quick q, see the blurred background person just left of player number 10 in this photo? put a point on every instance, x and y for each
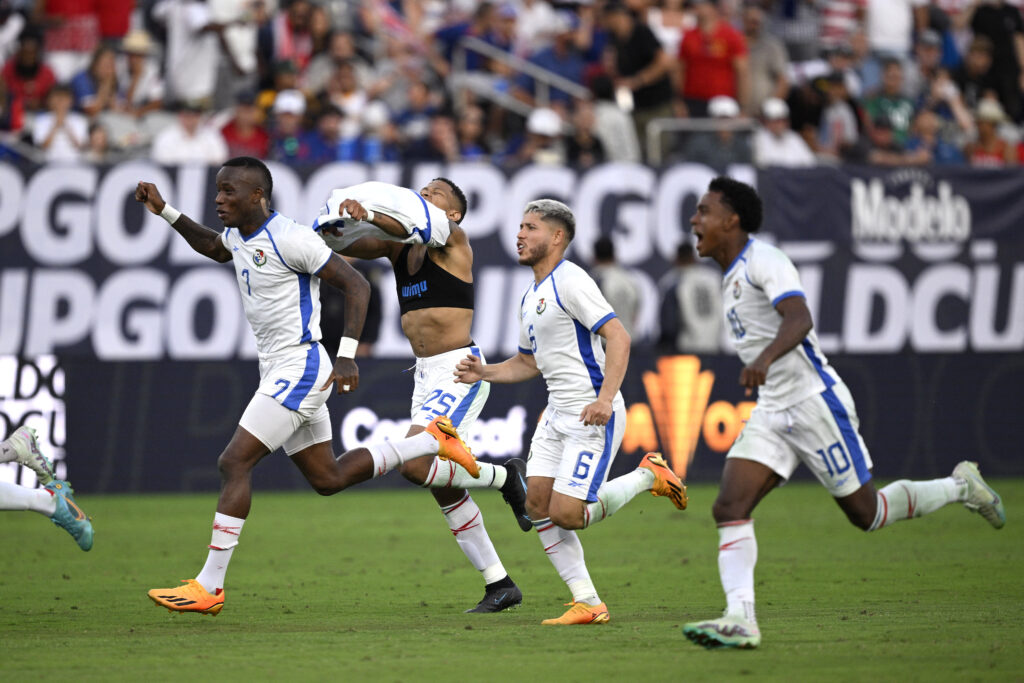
(691, 310)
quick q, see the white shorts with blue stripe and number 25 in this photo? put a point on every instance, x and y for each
(437, 393)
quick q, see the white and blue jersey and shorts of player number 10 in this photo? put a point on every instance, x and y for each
(804, 412)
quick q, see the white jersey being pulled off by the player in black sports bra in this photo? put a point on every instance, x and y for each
(424, 223)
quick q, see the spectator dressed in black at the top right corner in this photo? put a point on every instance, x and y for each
(1002, 23)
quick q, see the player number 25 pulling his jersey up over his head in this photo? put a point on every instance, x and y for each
(421, 236)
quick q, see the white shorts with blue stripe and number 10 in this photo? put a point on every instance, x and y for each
(822, 432)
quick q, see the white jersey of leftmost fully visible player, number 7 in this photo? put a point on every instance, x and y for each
(277, 269)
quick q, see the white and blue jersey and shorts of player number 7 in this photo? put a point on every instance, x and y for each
(277, 270)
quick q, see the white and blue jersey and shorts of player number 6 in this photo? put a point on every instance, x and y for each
(559, 323)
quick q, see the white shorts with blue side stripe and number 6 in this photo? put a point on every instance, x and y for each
(577, 457)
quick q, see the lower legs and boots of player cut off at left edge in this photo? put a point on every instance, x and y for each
(55, 500)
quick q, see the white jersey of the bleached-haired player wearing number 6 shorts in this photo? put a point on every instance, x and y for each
(559, 323)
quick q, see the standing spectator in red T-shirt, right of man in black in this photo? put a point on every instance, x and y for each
(713, 62)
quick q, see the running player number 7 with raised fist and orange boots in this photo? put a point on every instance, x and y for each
(279, 266)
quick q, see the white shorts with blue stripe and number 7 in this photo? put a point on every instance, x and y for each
(289, 410)
